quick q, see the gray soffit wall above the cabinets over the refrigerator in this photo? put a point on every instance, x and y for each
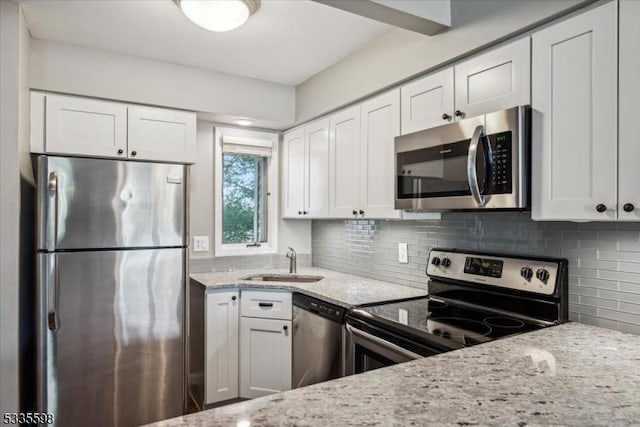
(71, 69)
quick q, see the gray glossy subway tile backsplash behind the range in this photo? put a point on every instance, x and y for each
(604, 258)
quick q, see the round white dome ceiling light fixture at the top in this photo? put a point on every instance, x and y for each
(218, 15)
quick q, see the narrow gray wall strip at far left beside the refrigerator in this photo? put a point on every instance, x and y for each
(15, 172)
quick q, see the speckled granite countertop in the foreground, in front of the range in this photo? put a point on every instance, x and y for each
(572, 374)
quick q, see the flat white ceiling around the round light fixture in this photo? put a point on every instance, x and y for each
(286, 41)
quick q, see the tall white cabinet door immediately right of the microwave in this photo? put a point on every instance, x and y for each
(574, 129)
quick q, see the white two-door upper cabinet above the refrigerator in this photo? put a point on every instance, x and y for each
(77, 126)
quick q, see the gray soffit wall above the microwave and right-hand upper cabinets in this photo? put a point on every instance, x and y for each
(400, 54)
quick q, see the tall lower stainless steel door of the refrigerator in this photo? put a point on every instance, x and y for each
(117, 355)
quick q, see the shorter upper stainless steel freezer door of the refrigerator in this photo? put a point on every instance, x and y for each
(96, 203)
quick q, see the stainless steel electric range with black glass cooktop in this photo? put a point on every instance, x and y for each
(473, 298)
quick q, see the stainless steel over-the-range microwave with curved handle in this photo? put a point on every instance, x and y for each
(476, 163)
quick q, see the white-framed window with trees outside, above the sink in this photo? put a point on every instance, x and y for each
(246, 192)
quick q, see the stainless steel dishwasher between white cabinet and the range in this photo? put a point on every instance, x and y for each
(318, 339)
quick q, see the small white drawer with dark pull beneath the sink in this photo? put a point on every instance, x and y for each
(266, 304)
